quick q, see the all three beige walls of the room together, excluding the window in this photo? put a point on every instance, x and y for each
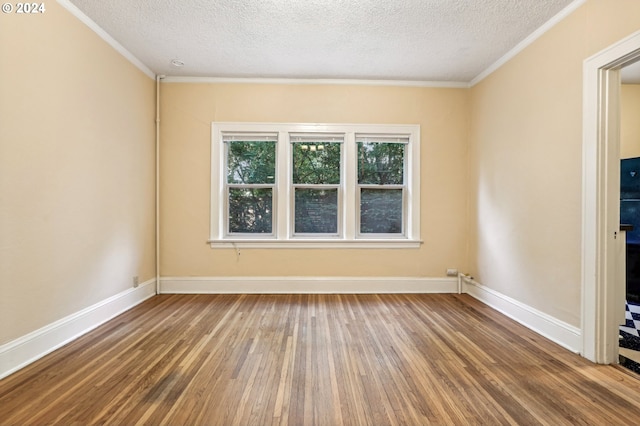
(501, 169)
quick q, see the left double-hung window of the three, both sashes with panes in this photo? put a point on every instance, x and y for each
(250, 183)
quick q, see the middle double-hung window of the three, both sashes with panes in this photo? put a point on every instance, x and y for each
(316, 182)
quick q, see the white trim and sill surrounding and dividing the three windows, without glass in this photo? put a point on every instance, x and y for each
(283, 237)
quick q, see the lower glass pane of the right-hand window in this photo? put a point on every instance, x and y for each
(380, 211)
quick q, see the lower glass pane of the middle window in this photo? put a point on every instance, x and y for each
(316, 211)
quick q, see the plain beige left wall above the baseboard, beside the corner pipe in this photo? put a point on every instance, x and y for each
(77, 170)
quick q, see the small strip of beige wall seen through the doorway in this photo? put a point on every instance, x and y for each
(630, 121)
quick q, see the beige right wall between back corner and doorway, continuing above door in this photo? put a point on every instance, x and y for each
(526, 162)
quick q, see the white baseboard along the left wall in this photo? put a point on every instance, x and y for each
(27, 349)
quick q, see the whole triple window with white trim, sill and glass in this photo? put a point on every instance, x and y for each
(304, 185)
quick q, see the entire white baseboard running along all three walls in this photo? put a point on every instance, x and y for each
(27, 349)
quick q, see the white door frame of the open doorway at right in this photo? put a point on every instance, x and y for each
(600, 197)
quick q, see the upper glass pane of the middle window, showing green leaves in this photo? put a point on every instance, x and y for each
(316, 163)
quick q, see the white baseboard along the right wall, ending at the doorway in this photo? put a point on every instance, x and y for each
(564, 334)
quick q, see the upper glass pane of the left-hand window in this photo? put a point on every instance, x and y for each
(251, 162)
